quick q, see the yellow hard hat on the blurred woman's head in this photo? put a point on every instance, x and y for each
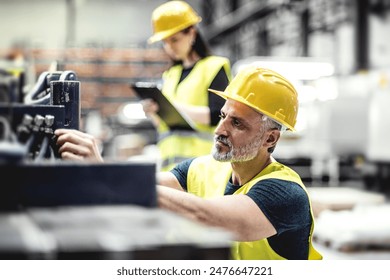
(170, 18)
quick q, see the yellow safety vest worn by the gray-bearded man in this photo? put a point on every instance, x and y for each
(212, 183)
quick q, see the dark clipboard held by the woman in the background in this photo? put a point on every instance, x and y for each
(175, 119)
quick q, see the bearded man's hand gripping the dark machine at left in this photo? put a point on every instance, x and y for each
(77, 145)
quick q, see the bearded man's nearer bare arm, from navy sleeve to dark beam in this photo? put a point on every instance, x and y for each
(238, 214)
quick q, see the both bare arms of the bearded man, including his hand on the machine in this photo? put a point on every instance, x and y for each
(236, 213)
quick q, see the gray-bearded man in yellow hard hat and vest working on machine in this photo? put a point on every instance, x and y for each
(240, 186)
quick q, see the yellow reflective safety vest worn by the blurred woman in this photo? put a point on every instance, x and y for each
(176, 146)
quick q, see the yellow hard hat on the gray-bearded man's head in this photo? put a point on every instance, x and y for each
(265, 91)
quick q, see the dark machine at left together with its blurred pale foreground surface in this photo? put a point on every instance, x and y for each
(56, 209)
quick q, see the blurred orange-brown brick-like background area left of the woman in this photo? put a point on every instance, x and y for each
(104, 73)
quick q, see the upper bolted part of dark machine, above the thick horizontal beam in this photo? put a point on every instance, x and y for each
(27, 127)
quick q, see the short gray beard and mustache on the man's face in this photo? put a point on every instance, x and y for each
(239, 154)
